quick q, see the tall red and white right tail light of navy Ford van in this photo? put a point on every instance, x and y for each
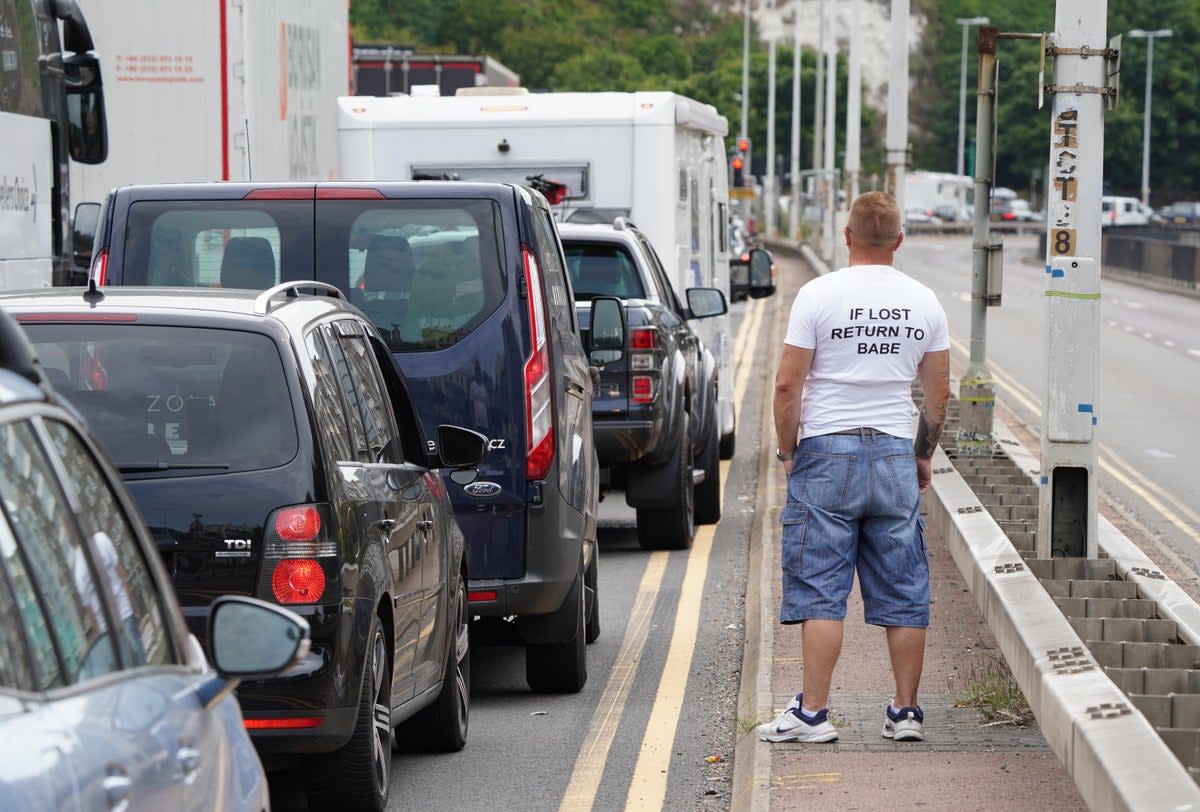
(539, 399)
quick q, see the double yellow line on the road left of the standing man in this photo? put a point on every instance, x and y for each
(647, 790)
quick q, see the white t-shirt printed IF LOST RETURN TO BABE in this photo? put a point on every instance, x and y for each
(869, 326)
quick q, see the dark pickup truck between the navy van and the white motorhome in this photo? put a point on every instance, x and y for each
(655, 416)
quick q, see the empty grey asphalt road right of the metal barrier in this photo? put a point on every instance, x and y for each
(1150, 359)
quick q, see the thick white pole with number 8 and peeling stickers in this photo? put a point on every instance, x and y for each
(1067, 504)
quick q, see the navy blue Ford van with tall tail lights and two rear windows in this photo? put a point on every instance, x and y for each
(467, 285)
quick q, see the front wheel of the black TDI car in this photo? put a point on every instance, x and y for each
(442, 726)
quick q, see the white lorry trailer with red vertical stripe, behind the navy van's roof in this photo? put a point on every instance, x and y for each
(226, 91)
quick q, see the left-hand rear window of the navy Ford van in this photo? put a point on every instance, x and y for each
(213, 244)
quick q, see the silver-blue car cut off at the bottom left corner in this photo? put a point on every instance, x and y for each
(107, 701)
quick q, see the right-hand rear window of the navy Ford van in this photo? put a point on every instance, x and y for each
(425, 272)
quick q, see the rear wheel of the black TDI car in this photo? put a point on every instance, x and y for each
(356, 778)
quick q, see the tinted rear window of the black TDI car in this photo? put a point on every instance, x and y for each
(172, 399)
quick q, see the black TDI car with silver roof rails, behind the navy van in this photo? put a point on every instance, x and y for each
(269, 442)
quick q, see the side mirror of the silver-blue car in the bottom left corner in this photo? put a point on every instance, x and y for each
(255, 639)
